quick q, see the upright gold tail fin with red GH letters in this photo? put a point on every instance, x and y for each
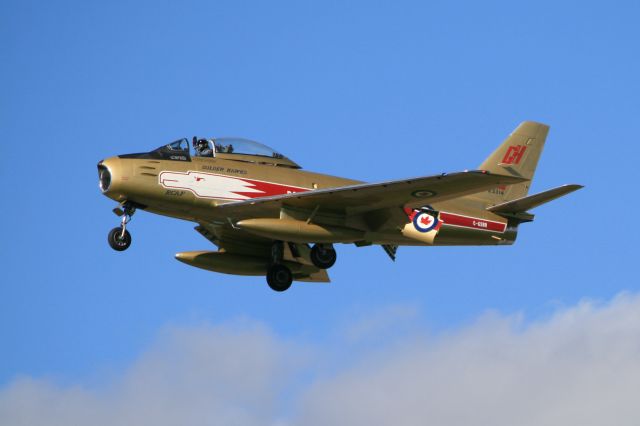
(517, 156)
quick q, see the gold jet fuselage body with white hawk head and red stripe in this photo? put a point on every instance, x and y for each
(191, 190)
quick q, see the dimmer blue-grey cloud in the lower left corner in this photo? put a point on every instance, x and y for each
(201, 375)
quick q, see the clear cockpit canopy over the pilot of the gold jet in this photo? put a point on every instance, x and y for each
(228, 148)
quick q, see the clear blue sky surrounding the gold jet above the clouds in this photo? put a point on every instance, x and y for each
(358, 89)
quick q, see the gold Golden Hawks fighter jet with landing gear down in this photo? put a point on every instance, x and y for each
(269, 217)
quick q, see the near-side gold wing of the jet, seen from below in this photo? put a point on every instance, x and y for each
(362, 198)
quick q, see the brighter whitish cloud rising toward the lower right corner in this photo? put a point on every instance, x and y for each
(582, 366)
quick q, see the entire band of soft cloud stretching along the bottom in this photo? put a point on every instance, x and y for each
(579, 366)
